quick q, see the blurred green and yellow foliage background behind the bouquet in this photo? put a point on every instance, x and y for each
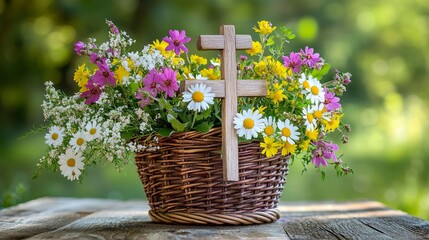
(384, 44)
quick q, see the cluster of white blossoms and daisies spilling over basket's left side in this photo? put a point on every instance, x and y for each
(79, 132)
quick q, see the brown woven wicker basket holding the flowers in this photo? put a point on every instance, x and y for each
(184, 184)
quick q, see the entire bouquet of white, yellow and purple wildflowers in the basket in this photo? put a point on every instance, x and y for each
(126, 95)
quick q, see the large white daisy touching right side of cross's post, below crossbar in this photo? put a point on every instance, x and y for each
(249, 124)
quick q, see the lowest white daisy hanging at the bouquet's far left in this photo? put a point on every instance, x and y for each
(71, 164)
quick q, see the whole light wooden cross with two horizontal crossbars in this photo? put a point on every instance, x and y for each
(229, 89)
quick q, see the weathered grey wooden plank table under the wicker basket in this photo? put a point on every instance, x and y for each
(70, 218)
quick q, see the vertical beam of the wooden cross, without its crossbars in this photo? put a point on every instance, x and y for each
(229, 108)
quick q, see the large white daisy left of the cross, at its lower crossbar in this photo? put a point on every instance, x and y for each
(199, 97)
